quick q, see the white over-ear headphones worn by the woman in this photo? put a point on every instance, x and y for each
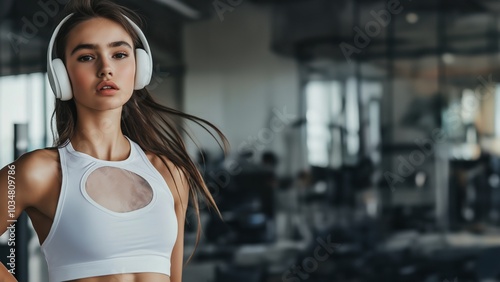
(59, 79)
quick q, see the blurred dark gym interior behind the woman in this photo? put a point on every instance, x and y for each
(365, 133)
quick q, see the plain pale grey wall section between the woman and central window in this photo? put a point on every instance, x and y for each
(235, 81)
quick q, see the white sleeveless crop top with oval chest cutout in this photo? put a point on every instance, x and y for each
(112, 217)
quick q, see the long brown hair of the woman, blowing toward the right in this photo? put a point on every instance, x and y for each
(154, 127)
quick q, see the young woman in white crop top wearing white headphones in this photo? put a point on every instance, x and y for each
(108, 201)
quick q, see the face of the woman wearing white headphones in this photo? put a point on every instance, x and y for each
(100, 61)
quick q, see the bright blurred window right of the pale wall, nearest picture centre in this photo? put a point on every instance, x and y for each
(336, 123)
